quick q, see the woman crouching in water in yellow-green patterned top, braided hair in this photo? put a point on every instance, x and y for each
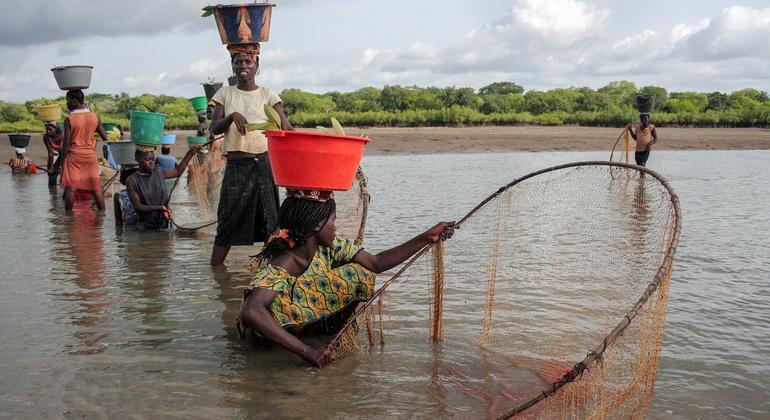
(308, 276)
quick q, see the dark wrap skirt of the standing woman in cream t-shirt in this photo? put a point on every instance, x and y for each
(248, 202)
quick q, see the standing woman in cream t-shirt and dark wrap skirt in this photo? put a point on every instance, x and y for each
(248, 204)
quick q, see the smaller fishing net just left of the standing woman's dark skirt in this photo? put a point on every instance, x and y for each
(194, 196)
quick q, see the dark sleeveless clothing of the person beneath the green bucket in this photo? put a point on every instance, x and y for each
(151, 189)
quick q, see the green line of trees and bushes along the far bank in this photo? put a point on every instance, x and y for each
(499, 103)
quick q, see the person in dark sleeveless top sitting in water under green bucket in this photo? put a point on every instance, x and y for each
(147, 189)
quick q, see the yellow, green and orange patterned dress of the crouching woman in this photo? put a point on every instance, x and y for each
(329, 284)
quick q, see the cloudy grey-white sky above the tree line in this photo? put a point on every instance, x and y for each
(150, 46)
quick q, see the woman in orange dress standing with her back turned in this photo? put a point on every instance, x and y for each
(80, 170)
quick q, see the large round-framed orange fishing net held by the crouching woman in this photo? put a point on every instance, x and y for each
(549, 301)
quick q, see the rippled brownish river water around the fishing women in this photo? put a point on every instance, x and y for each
(103, 322)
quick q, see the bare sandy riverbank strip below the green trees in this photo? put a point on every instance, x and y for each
(427, 140)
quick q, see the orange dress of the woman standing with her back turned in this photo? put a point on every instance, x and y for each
(80, 169)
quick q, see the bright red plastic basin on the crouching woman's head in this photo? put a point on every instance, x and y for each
(314, 161)
